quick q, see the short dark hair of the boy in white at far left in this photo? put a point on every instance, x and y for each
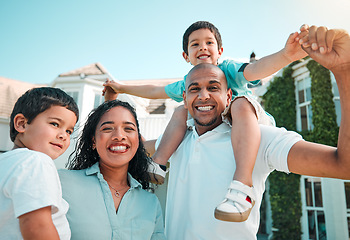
(37, 100)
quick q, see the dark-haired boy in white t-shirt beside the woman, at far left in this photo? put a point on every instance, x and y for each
(32, 206)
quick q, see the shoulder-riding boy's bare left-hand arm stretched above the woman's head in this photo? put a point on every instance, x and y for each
(145, 91)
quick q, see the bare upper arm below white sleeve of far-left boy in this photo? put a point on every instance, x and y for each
(38, 225)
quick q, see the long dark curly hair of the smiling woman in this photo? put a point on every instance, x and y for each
(85, 155)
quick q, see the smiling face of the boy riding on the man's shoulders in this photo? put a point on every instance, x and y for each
(202, 48)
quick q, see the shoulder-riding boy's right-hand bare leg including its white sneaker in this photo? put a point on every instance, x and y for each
(245, 137)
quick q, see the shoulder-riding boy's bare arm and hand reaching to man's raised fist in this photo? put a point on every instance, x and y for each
(270, 64)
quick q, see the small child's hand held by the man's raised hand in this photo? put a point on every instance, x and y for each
(292, 50)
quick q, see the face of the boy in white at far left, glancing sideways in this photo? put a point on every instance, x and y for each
(49, 132)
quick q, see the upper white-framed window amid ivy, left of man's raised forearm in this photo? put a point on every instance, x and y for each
(304, 111)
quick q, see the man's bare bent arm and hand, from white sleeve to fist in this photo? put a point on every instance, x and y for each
(330, 48)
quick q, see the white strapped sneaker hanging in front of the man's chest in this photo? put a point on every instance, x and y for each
(237, 204)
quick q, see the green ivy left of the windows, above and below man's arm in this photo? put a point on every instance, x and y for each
(284, 191)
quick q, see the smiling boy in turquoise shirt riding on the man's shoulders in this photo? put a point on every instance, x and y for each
(202, 44)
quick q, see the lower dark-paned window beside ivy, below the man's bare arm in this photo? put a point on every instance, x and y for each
(314, 208)
